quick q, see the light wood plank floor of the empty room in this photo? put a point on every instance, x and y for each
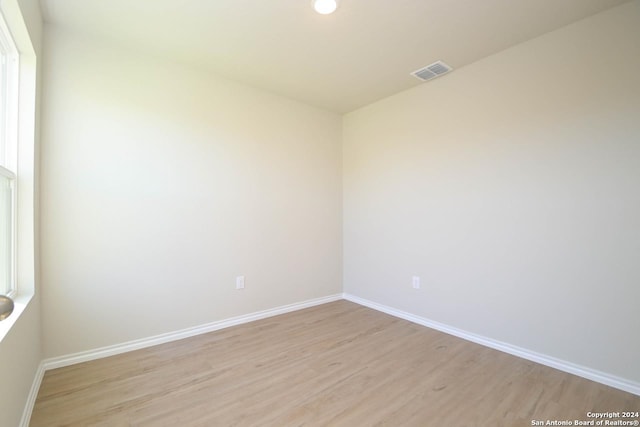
(338, 364)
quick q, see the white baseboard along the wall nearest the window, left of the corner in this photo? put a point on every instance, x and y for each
(112, 350)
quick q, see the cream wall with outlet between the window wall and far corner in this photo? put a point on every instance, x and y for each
(161, 184)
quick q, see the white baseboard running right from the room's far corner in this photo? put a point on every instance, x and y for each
(562, 365)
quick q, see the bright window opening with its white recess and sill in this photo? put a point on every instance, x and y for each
(17, 154)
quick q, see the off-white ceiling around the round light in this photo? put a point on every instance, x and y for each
(361, 53)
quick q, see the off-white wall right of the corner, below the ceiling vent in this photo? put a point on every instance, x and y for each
(510, 187)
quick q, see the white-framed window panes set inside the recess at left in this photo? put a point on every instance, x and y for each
(8, 158)
